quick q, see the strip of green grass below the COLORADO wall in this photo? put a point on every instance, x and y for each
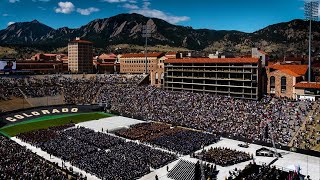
(50, 121)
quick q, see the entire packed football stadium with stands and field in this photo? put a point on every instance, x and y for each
(116, 127)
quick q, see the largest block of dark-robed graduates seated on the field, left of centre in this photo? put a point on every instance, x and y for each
(104, 155)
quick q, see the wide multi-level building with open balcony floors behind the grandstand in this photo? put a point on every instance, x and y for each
(237, 77)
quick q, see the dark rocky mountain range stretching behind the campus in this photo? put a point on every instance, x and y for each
(283, 38)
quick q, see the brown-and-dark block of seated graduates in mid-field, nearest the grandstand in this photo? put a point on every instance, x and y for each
(178, 140)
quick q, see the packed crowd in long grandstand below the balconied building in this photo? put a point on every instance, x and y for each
(219, 114)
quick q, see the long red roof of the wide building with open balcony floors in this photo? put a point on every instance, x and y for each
(215, 60)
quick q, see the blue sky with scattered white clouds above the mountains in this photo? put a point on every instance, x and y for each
(242, 15)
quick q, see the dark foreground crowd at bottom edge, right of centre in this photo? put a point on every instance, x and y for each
(255, 172)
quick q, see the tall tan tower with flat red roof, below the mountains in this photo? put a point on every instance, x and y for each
(80, 56)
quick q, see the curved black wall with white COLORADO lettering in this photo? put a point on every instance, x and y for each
(13, 117)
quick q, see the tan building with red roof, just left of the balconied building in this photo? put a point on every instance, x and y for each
(136, 64)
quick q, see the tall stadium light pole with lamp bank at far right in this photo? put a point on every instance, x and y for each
(311, 13)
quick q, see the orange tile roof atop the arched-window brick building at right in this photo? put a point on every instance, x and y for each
(294, 70)
